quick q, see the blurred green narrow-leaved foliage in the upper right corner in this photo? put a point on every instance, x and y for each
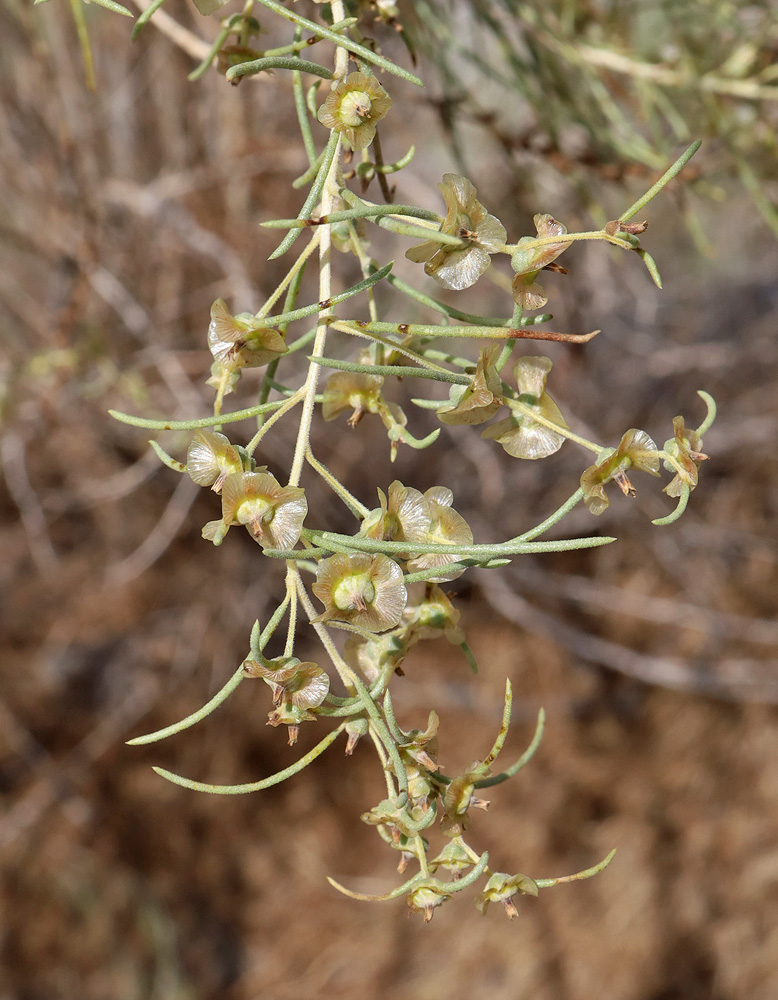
(600, 90)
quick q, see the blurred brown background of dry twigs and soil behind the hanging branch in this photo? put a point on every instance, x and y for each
(123, 214)
